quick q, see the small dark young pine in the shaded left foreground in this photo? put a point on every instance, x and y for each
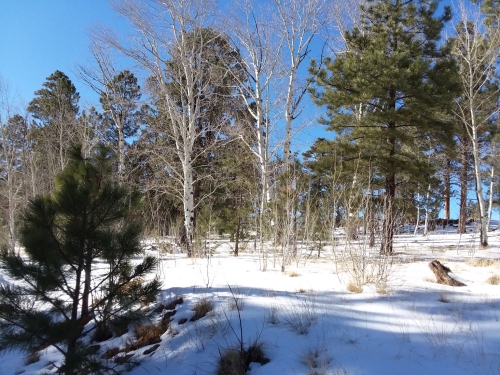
(79, 244)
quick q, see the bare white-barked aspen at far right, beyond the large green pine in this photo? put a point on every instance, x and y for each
(477, 48)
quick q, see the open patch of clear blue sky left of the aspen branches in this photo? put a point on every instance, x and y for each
(38, 37)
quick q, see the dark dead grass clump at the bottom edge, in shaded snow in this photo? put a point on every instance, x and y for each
(235, 362)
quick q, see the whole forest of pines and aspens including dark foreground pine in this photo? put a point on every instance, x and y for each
(199, 136)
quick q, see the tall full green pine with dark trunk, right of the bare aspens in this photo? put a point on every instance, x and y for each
(389, 90)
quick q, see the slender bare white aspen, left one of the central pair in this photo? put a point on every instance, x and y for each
(259, 46)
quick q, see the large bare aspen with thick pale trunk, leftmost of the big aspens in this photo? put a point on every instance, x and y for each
(170, 44)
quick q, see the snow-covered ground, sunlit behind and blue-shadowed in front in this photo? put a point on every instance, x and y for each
(309, 323)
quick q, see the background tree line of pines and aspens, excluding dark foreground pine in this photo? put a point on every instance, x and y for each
(207, 135)
